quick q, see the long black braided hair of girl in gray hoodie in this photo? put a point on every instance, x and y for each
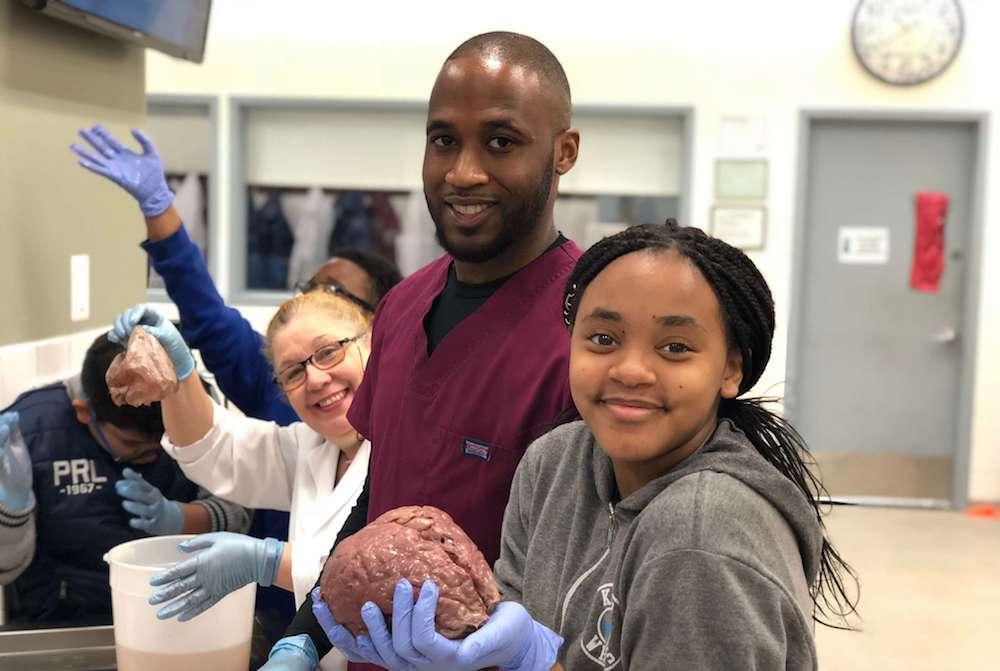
(748, 318)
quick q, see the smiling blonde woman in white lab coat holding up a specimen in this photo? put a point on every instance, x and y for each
(319, 343)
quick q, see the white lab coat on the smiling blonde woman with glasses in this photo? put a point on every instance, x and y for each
(262, 465)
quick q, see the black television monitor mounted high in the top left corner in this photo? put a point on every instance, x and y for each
(176, 27)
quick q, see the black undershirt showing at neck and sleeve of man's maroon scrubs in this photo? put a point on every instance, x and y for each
(456, 301)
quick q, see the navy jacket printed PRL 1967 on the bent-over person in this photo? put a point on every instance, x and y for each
(79, 516)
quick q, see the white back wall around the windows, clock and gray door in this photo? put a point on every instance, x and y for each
(724, 58)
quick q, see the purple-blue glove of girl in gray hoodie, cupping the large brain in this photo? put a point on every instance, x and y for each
(510, 639)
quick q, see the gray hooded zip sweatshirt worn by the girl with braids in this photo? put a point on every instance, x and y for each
(705, 567)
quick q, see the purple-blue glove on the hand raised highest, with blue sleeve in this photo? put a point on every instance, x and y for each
(139, 174)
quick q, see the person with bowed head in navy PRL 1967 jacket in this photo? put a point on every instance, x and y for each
(98, 478)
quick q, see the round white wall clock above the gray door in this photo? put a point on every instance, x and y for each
(906, 42)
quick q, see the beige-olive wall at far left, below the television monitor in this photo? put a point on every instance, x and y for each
(54, 79)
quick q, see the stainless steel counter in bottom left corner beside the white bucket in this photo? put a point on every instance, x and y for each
(72, 649)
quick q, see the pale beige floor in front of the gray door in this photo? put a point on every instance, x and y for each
(930, 591)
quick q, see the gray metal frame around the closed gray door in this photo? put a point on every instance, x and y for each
(970, 302)
